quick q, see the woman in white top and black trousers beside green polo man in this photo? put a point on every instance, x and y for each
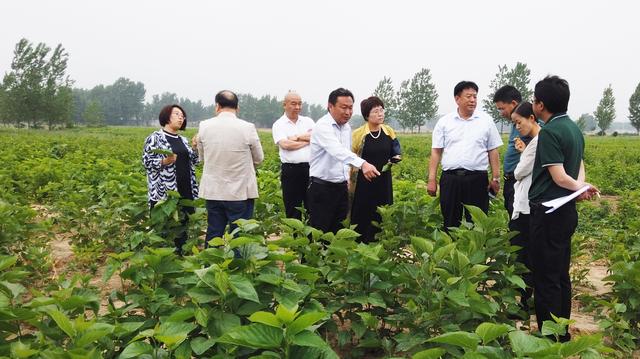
(527, 125)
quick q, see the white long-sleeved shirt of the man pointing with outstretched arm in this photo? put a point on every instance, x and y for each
(331, 151)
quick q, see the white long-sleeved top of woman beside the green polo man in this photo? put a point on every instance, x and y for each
(523, 175)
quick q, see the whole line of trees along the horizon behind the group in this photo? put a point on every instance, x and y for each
(37, 92)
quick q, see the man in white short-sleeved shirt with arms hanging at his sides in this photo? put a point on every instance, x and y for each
(466, 141)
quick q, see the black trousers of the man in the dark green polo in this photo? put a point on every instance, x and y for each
(550, 245)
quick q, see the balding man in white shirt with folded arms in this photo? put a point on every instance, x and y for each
(292, 133)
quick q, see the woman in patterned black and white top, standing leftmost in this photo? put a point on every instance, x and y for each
(170, 162)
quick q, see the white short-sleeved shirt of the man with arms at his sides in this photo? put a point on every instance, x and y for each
(465, 143)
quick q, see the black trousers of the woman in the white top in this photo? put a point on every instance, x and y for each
(522, 225)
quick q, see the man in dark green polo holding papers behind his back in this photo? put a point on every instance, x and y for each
(558, 171)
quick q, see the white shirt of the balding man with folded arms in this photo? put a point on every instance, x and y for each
(283, 128)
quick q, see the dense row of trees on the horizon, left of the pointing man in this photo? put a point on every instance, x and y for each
(37, 91)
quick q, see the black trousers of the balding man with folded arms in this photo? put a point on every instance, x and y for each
(294, 178)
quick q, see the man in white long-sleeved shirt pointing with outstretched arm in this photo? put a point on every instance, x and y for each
(331, 156)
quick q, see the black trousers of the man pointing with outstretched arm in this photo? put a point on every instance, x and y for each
(328, 204)
